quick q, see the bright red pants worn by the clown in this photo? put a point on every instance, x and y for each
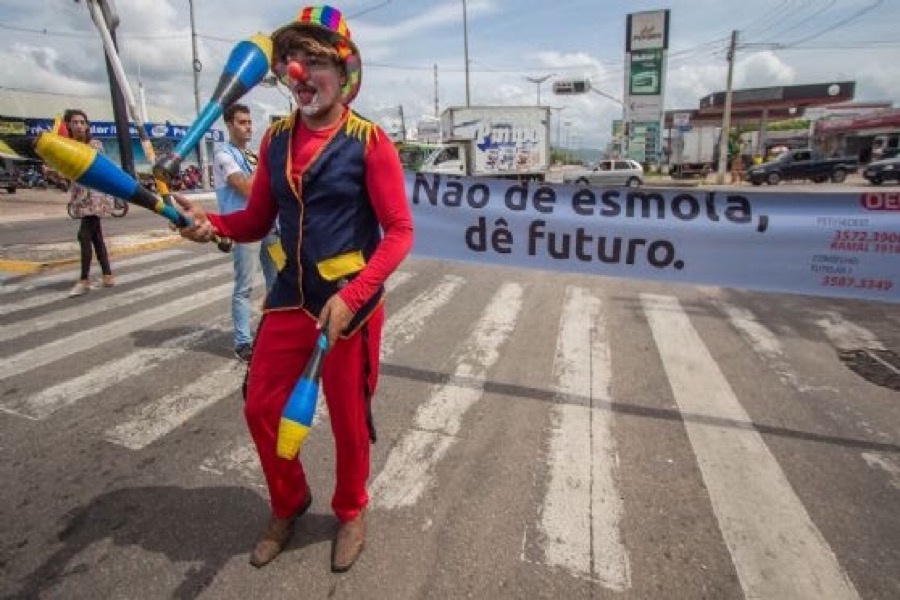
(283, 346)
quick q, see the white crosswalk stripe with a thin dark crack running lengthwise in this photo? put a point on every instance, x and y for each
(581, 513)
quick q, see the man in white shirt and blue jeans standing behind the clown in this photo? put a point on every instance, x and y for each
(233, 174)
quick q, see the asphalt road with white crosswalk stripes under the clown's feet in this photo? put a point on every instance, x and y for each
(540, 436)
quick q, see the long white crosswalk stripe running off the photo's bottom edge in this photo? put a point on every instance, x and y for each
(776, 548)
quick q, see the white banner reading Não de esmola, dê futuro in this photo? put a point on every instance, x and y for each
(825, 244)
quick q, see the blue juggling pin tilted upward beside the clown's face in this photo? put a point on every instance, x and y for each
(246, 66)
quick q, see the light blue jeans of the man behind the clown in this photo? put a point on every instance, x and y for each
(244, 258)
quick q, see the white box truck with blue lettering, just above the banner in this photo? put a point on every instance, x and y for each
(493, 141)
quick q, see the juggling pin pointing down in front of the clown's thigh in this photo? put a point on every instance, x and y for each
(296, 419)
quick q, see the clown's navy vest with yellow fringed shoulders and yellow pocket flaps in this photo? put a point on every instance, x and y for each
(328, 228)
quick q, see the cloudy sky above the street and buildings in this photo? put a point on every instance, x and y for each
(52, 46)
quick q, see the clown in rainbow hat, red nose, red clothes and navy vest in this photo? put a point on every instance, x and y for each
(335, 184)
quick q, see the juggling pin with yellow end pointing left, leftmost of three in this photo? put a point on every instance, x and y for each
(85, 165)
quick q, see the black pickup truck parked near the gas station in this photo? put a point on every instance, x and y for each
(802, 163)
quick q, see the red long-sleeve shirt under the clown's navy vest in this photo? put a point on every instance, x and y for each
(387, 193)
